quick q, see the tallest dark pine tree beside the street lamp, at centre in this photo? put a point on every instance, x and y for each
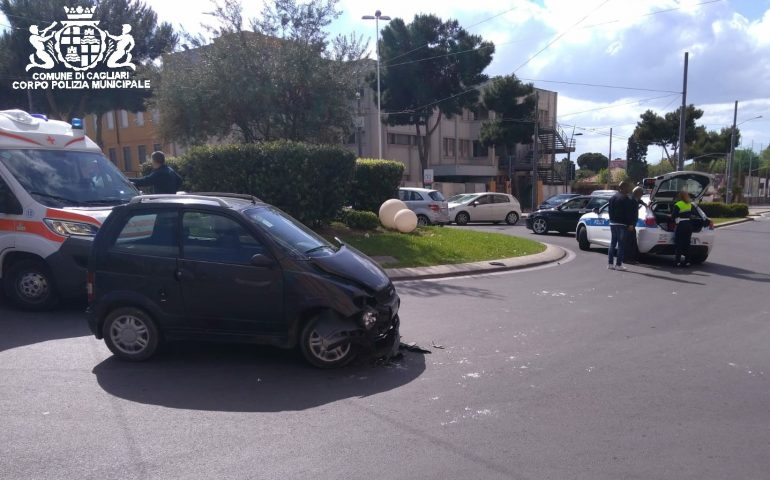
(422, 76)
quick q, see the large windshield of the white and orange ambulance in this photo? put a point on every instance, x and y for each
(58, 178)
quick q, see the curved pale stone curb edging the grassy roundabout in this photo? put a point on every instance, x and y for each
(551, 254)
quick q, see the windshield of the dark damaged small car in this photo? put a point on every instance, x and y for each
(288, 232)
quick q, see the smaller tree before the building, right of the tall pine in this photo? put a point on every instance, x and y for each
(514, 105)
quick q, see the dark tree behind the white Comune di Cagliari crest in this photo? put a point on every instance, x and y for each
(151, 40)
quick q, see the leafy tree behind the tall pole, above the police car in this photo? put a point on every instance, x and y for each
(663, 131)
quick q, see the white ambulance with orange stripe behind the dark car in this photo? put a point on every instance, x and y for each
(56, 188)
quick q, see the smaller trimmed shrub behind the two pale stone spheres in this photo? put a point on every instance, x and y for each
(375, 181)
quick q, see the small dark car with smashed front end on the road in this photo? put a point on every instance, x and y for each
(229, 268)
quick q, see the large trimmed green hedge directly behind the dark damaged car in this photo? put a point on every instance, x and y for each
(310, 182)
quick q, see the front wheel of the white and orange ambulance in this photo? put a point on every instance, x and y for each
(29, 284)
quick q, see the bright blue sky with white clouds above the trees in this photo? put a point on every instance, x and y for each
(623, 43)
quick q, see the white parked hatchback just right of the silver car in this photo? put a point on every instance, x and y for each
(485, 207)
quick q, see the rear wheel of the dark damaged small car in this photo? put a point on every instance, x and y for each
(131, 334)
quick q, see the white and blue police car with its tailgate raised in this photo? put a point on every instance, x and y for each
(654, 227)
